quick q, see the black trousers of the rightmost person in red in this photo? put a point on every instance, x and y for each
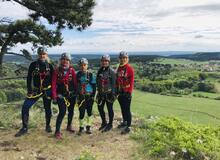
(125, 104)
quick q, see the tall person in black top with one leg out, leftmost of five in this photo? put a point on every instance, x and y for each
(38, 85)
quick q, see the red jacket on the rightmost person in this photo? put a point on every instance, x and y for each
(125, 78)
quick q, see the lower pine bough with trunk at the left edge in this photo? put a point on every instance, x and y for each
(26, 31)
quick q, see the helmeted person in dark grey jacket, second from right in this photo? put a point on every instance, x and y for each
(106, 79)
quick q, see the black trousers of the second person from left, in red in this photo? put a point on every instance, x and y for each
(62, 111)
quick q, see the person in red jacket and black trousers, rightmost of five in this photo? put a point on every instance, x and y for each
(124, 87)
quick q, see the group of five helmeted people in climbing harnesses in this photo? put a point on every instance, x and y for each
(65, 87)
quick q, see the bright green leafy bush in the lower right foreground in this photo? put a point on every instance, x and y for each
(172, 138)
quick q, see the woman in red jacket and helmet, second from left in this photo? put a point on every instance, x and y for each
(64, 90)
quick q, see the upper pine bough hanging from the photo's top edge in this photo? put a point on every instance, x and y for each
(63, 13)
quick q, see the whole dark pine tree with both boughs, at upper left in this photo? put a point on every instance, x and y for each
(62, 13)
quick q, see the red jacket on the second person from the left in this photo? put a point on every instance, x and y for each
(59, 80)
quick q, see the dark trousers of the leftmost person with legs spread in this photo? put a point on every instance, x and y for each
(28, 103)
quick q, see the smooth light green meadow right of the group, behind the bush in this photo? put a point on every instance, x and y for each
(196, 110)
